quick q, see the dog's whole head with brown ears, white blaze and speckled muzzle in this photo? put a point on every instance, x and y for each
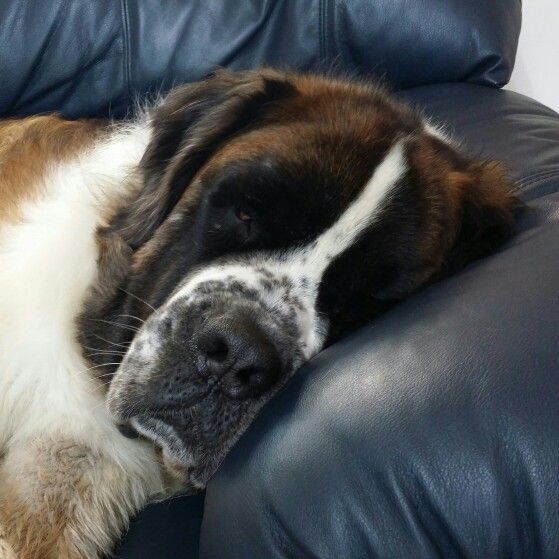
(278, 212)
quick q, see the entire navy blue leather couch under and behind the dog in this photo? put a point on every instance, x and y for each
(432, 432)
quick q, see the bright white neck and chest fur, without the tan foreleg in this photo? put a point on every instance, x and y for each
(47, 263)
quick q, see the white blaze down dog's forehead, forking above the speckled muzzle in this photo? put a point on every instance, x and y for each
(305, 266)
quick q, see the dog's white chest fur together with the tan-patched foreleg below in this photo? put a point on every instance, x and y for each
(54, 427)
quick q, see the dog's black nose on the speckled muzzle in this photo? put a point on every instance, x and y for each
(240, 355)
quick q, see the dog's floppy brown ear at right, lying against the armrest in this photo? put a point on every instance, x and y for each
(471, 205)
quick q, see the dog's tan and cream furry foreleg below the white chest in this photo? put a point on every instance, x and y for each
(62, 500)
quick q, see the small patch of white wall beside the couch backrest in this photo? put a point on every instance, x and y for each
(536, 72)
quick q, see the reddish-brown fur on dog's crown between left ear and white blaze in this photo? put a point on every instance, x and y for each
(366, 119)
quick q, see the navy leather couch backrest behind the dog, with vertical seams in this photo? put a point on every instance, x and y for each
(93, 57)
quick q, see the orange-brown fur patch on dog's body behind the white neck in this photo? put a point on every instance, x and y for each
(27, 147)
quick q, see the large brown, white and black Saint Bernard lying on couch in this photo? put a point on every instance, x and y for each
(161, 279)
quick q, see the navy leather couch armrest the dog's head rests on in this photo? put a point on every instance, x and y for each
(435, 430)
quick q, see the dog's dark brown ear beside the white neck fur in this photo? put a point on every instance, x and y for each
(188, 126)
